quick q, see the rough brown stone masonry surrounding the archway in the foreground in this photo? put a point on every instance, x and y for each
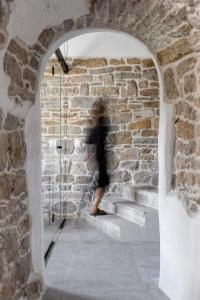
(171, 29)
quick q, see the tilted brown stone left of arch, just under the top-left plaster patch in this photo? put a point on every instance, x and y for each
(18, 50)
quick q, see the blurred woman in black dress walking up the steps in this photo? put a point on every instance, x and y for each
(97, 136)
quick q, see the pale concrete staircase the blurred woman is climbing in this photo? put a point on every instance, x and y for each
(132, 218)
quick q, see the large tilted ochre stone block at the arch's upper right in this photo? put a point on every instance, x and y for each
(174, 52)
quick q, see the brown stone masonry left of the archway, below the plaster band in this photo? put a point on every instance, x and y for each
(15, 256)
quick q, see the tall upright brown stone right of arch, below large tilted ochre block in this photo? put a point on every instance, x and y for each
(170, 85)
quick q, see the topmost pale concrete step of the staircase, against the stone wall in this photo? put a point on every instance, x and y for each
(145, 195)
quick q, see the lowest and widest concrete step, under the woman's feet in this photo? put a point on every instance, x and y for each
(119, 228)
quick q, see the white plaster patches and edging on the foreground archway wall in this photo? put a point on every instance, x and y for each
(180, 244)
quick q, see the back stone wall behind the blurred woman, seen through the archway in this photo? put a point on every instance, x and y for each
(130, 88)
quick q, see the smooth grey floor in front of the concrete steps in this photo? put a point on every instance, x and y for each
(88, 265)
